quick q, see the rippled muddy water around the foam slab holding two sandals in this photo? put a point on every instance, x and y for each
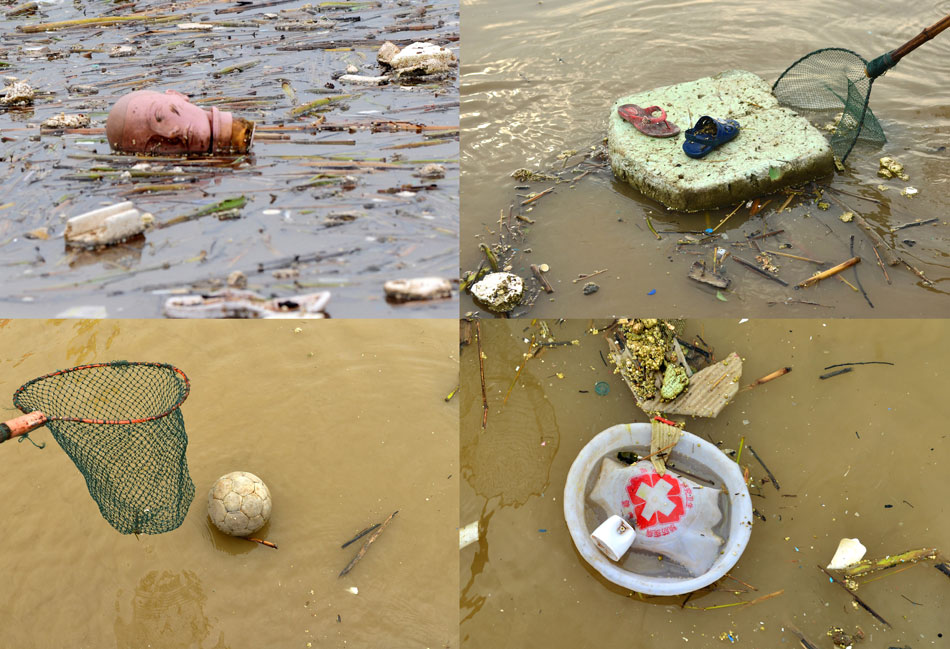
(539, 79)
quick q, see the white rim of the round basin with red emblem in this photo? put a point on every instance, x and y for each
(698, 450)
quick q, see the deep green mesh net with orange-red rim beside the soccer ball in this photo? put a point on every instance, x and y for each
(121, 424)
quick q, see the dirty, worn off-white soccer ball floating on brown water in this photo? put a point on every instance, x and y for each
(239, 503)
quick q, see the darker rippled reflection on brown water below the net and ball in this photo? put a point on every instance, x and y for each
(167, 610)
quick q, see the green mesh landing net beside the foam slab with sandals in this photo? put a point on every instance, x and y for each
(839, 80)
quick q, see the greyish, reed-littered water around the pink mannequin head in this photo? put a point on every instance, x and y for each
(353, 228)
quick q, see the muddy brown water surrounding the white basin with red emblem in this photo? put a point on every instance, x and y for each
(857, 455)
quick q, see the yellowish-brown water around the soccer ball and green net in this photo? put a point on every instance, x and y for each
(323, 416)
